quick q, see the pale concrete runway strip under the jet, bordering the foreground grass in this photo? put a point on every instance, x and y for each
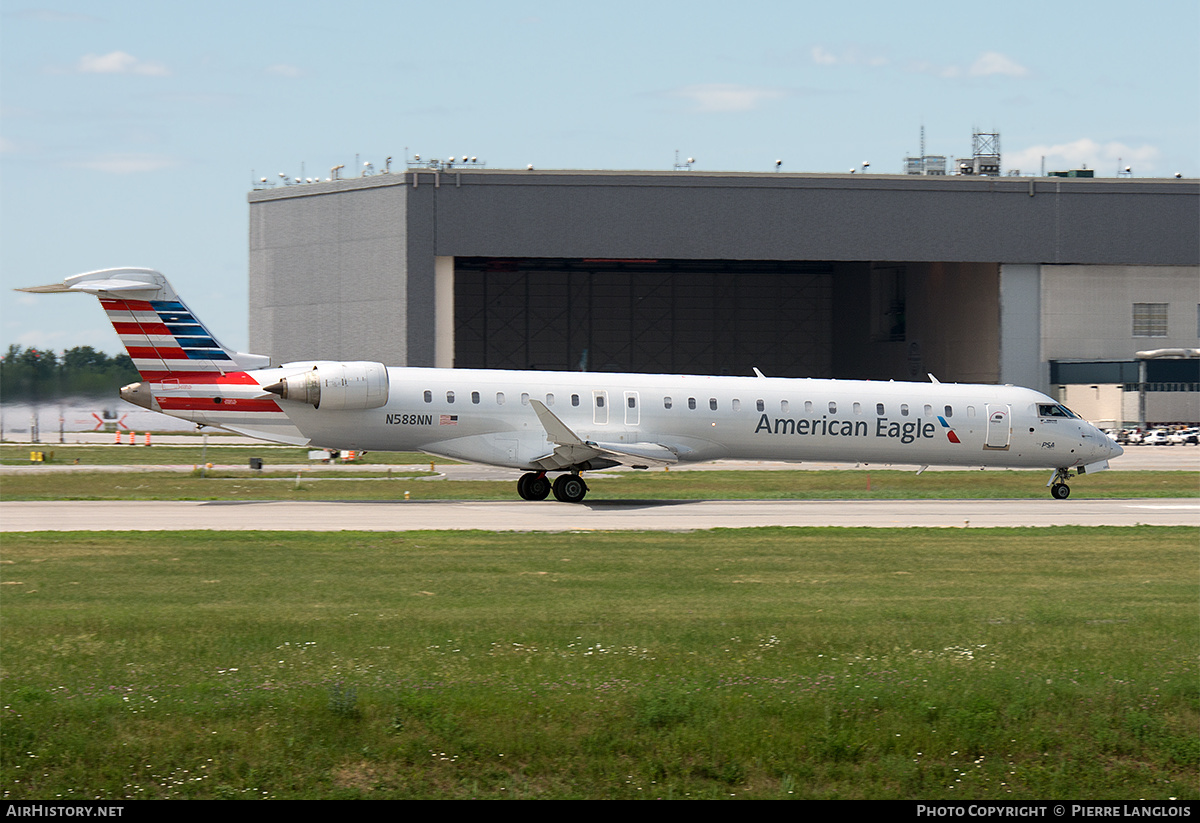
(602, 515)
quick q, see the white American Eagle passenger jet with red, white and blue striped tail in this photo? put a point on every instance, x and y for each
(569, 423)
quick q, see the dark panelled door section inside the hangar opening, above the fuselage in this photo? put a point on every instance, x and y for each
(699, 317)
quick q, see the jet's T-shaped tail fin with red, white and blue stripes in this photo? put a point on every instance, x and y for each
(161, 334)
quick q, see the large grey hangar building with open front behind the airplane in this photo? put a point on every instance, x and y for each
(1054, 284)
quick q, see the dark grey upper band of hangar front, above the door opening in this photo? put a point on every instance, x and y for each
(781, 217)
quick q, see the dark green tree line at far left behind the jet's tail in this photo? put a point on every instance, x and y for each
(43, 376)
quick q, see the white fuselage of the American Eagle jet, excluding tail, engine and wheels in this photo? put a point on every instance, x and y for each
(487, 417)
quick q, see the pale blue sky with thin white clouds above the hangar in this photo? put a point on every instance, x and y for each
(131, 133)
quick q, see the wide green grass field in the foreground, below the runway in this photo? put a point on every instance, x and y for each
(1010, 664)
